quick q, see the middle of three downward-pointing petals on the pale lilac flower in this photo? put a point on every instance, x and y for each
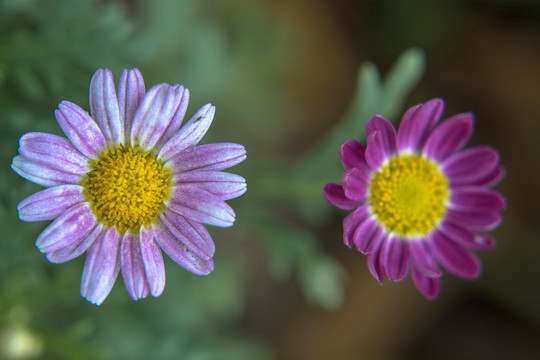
(132, 265)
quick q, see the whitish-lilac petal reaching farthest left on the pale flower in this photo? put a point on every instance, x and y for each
(41, 174)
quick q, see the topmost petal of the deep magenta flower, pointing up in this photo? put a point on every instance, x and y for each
(417, 123)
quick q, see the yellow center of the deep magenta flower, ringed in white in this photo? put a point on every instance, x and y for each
(408, 195)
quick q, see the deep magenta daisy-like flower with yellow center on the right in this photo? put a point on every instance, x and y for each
(418, 199)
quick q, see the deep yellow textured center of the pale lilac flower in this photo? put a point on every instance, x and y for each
(127, 188)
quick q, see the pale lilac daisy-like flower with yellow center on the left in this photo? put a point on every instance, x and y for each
(128, 182)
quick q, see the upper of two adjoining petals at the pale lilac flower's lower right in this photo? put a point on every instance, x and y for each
(191, 234)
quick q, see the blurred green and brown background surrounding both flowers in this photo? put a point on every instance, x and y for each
(291, 80)
